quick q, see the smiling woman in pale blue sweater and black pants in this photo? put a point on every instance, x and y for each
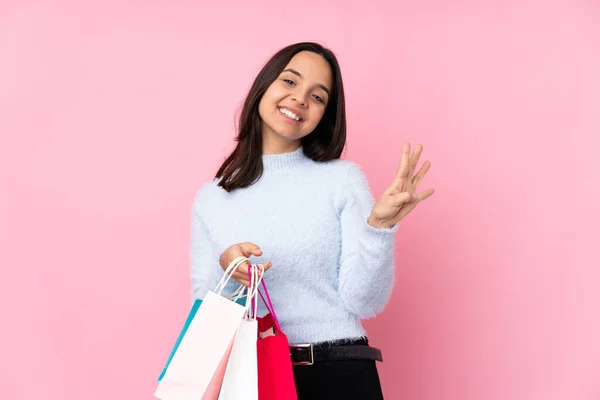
(285, 197)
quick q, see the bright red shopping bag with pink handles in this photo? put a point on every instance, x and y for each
(275, 373)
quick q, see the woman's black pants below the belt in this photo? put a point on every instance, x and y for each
(338, 379)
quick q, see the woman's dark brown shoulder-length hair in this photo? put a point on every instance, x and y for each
(244, 165)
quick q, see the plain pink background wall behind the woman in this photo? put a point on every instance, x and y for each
(113, 114)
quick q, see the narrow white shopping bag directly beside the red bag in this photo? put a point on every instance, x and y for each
(241, 377)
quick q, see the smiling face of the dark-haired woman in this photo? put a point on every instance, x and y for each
(293, 105)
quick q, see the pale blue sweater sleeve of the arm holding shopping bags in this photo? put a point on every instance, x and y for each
(203, 261)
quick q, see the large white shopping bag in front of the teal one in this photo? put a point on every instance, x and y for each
(196, 369)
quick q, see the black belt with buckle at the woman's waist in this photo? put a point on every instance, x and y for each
(308, 354)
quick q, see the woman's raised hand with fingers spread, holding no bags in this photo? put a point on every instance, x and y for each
(401, 197)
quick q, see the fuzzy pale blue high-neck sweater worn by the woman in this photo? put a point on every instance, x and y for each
(330, 267)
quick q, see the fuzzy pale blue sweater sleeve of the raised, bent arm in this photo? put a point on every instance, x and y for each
(366, 272)
